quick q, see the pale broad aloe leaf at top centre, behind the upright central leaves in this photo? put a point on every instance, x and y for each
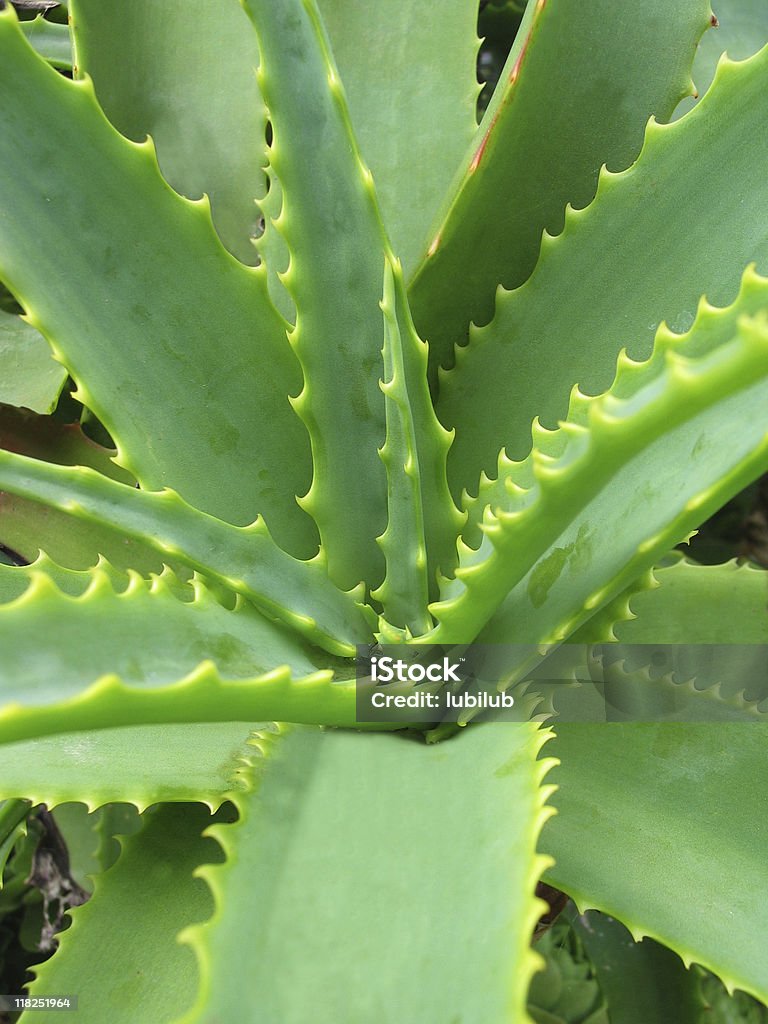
(413, 127)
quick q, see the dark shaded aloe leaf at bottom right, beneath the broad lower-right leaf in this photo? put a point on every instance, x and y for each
(642, 980)
